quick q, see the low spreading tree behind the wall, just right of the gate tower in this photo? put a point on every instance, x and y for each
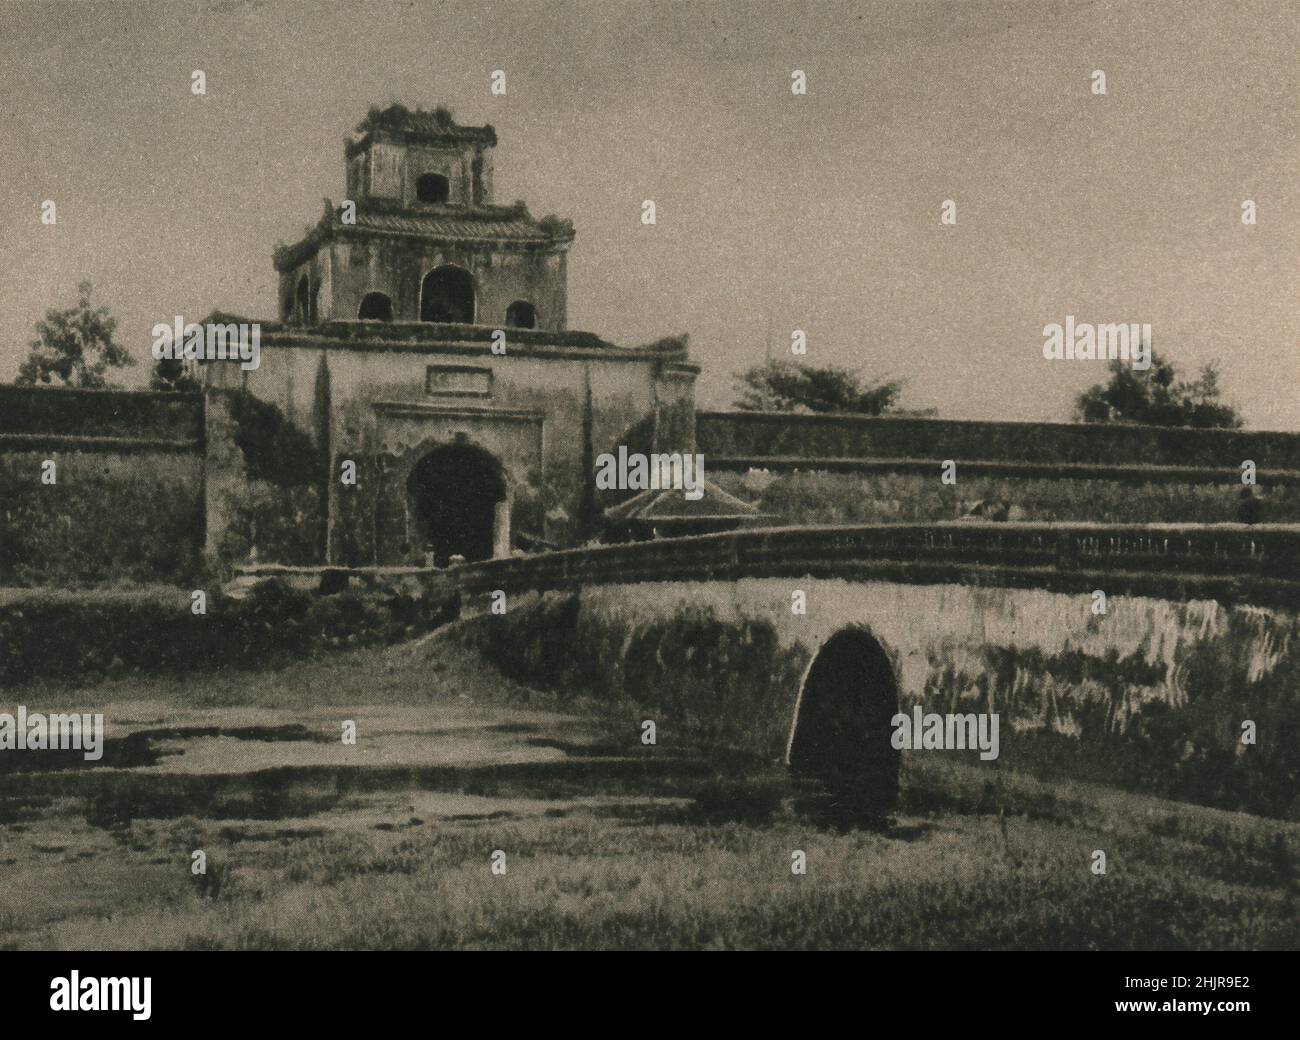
(787, 387)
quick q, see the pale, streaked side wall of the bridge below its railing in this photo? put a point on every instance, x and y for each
(1151, 696)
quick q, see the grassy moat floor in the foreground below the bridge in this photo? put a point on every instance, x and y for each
(612, 859)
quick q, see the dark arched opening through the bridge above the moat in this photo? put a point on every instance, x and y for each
(842, 736)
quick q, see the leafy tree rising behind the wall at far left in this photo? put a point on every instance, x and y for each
(75, 346)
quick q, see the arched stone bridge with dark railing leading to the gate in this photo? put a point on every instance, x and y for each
(1134, 655)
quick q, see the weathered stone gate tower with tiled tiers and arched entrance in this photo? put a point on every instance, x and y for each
(423, 337)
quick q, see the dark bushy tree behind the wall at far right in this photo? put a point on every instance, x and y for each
(1158, 397)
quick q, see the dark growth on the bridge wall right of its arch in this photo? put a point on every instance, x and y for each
(1191, 752)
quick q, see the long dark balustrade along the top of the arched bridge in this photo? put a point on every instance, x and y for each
(1211, 556)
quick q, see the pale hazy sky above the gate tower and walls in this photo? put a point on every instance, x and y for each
(775, 213)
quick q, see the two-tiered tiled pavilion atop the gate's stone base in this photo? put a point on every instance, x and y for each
(419, 237)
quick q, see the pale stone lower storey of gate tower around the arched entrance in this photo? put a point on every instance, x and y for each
(371, 402)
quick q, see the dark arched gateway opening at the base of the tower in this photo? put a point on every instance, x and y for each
(454, 502)
